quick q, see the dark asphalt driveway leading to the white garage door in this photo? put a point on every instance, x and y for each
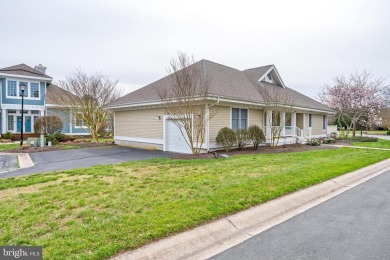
(86, 157)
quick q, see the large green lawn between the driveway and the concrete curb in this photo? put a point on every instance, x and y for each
(97, 212)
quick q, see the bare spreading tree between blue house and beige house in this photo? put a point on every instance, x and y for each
(84, 96)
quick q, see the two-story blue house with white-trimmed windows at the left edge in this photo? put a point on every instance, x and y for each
(38, 100)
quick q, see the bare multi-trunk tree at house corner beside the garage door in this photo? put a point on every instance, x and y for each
(186, 100)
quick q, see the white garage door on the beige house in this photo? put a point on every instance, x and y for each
(174, 140)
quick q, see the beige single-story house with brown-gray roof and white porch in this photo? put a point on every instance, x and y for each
(140, 119)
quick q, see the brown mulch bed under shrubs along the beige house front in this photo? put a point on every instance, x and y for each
(262, 149)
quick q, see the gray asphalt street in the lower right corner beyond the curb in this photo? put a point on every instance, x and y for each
(353, 225)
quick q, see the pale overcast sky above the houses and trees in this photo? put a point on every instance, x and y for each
(132, 41)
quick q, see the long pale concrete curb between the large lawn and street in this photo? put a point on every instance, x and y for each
(213, 238)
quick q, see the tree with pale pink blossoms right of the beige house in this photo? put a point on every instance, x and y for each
(356, 99)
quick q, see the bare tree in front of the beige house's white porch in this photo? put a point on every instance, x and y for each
(278, 101)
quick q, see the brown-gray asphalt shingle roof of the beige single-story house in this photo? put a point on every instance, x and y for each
(225, 82)
